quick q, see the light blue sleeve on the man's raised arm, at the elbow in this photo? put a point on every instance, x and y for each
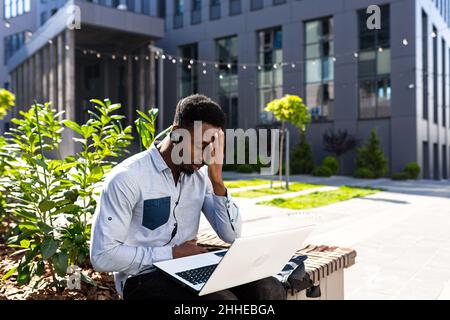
(223, 215)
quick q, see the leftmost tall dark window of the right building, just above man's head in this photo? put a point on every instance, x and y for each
(188, 74)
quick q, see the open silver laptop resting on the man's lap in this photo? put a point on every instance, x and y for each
(247, 260)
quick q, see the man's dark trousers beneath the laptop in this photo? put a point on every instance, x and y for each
(158, 286)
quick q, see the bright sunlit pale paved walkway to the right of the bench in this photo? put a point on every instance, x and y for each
(402, 235)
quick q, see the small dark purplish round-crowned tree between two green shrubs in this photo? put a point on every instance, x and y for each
(339, 142)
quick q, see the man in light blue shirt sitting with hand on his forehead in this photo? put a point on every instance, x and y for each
(149, 211)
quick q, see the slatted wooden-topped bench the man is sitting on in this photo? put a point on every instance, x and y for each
(324, 268)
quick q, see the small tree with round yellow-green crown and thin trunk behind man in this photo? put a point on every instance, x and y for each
(290, 109)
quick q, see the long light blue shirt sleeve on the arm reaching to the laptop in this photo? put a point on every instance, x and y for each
(111, 224)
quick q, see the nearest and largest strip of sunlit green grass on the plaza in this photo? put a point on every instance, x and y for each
(320, 199)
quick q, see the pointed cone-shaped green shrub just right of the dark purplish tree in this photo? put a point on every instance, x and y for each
(371, 156)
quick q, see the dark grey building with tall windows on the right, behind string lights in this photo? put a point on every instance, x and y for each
(352, 78)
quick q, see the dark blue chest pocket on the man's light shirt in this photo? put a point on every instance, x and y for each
(156, 213)
